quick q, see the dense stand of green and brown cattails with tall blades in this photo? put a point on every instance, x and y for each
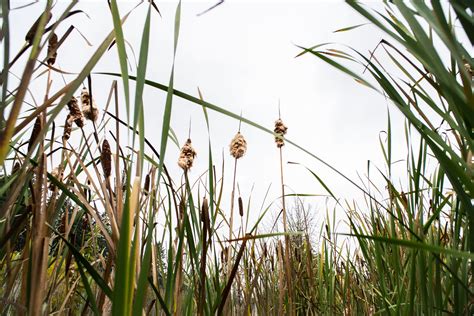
(76, 237)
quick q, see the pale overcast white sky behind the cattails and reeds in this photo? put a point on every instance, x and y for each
(241, 55)
